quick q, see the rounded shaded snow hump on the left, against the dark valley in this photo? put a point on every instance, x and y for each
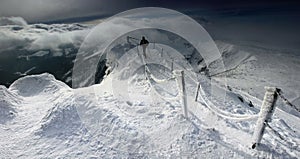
(43, 84)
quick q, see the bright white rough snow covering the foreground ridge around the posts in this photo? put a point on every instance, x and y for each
(138, 119)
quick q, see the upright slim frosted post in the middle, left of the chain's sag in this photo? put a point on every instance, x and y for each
(179, 74)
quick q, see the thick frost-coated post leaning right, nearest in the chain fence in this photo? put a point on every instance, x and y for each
(265, 114)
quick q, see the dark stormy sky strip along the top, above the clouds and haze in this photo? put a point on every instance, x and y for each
(54, 10)
